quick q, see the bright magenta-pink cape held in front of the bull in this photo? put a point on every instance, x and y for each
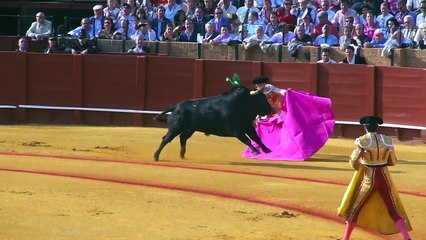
(302, 128)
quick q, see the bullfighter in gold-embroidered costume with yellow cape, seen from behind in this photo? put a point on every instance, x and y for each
(372, 200)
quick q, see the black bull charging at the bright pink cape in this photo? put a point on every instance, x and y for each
(229, 115)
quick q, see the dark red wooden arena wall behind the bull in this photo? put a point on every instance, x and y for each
(122, 81)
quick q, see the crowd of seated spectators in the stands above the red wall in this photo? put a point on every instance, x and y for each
(383, 24)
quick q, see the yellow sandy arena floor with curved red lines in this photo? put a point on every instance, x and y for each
(60, 182)
